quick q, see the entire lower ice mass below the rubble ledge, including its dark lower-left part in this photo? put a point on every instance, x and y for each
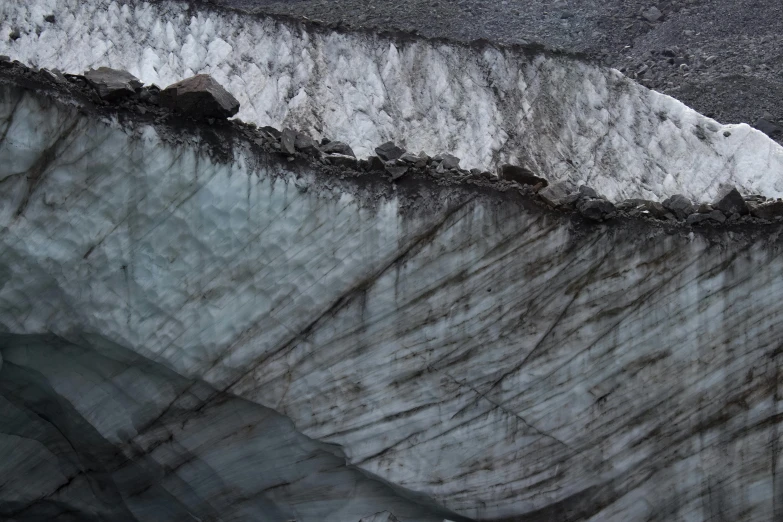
(231, 335)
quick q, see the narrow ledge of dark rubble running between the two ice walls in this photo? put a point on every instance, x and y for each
(395, 168)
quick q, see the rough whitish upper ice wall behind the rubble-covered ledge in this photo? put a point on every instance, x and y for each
(562, 117)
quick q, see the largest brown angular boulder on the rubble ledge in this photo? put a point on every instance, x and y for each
(200, 96)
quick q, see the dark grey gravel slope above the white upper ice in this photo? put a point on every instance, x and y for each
(722, 57)
